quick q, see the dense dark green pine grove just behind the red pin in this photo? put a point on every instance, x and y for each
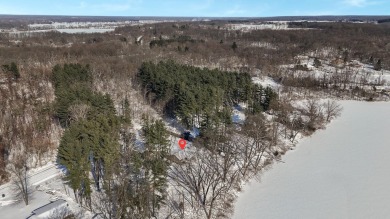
(202, 97)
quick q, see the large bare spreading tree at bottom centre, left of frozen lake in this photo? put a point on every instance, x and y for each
(201, 181)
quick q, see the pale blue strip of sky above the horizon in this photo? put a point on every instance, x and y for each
(196, 8)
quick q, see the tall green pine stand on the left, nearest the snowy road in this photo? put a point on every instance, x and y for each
(91, 141)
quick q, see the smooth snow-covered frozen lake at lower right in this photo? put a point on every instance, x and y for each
(340, 172)
